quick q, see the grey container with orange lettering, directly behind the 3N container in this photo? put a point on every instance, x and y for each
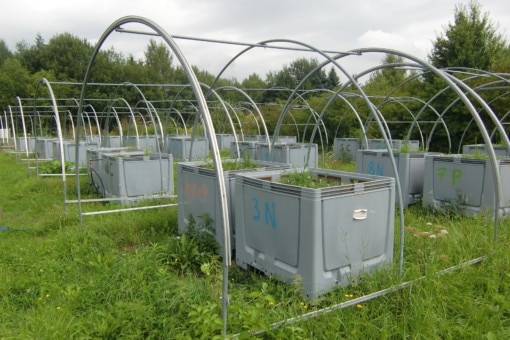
(197, 192)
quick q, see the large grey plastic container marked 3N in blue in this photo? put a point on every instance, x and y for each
(326, 236)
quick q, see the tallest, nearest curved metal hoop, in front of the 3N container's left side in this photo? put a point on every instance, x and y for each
(209, 129)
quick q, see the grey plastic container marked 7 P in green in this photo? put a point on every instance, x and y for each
(465, 183)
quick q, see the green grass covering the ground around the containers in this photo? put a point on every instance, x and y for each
(132, 276)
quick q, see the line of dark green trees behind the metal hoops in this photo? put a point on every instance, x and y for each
(470, 42)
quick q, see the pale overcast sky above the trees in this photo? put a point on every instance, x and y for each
(405, 25)
